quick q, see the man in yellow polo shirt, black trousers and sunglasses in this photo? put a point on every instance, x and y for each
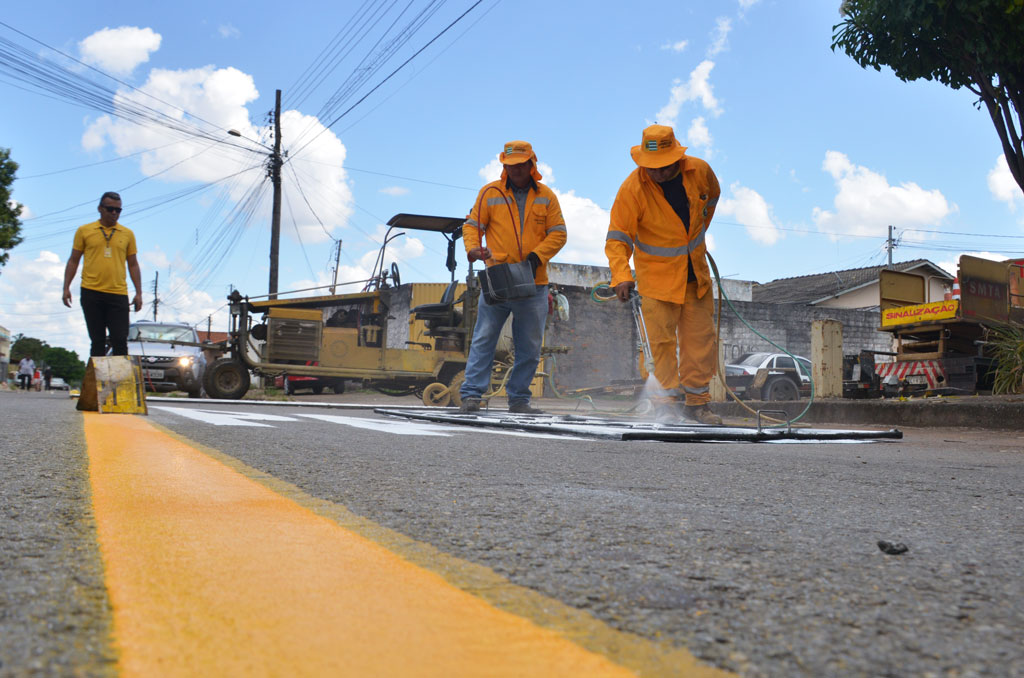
(108, 247)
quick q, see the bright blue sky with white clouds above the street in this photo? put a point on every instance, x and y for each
(817, 156)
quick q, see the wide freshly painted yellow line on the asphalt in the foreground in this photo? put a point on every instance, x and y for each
(212, 572)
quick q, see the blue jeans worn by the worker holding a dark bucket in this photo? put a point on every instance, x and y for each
(529, 316)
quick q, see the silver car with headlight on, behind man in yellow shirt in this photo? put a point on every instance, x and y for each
(170, 356)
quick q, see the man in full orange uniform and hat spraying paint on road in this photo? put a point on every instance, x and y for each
(660, 219)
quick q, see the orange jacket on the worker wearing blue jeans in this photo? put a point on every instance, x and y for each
(496, 215)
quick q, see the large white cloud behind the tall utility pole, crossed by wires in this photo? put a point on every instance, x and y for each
(221, 96)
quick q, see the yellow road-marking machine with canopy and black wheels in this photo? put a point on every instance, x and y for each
(348, 335)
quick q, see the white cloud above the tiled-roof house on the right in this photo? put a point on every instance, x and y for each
(866, 204)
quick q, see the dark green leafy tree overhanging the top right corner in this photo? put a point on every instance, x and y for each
(977, 45)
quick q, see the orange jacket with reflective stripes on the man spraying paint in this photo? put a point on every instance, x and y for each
(645, 227)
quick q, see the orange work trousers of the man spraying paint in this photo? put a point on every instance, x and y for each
(682, 340)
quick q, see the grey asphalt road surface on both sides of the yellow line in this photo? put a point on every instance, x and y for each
(761, 560)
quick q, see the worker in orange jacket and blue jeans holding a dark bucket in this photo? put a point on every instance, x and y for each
(515, 220)
